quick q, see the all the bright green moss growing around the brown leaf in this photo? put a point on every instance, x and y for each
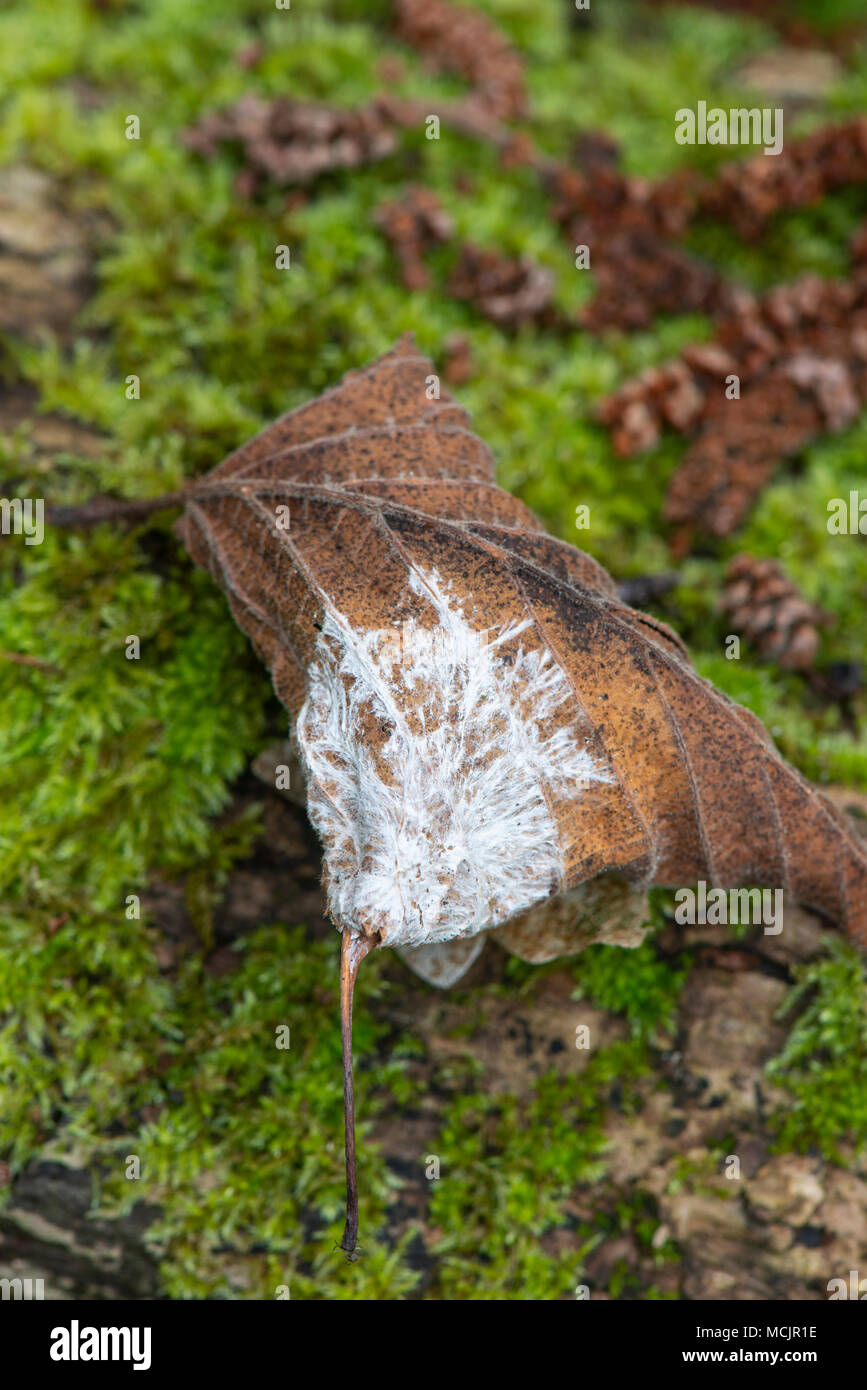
(127, 765)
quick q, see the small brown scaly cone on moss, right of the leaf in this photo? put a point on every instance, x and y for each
(772, 614)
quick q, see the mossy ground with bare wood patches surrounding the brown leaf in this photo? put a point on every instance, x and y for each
(160, 903)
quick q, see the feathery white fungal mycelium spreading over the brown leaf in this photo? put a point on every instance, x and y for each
(427, 753)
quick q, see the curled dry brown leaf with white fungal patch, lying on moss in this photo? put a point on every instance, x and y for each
(484, 725)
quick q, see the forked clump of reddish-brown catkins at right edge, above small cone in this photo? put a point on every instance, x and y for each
(801, 357)
